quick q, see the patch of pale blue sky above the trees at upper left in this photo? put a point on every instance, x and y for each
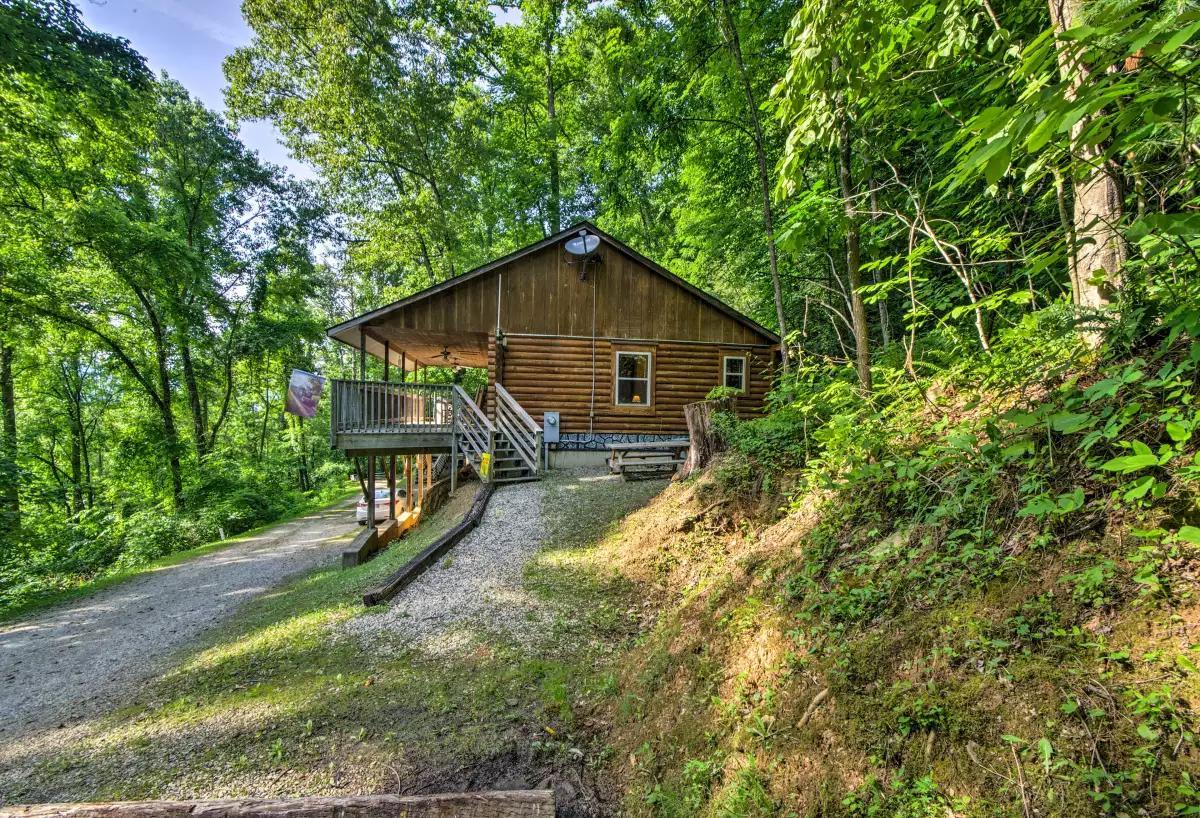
(189, 40)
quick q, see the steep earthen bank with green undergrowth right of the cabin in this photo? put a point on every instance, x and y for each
(968, 602)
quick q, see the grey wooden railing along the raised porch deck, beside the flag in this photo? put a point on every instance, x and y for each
(379, 406)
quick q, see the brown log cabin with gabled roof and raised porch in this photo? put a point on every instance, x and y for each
(586, 344)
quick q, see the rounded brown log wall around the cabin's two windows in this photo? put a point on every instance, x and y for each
(549, 375)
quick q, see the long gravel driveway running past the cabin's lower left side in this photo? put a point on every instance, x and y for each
(69, 663)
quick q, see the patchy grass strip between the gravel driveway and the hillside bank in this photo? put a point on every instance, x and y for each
(283, 701)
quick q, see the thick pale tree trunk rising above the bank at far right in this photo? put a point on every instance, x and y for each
(1097, 250)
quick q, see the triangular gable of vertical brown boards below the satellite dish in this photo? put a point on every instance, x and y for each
(543, 294)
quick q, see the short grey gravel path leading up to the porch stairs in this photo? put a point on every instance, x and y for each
(479, 585)
